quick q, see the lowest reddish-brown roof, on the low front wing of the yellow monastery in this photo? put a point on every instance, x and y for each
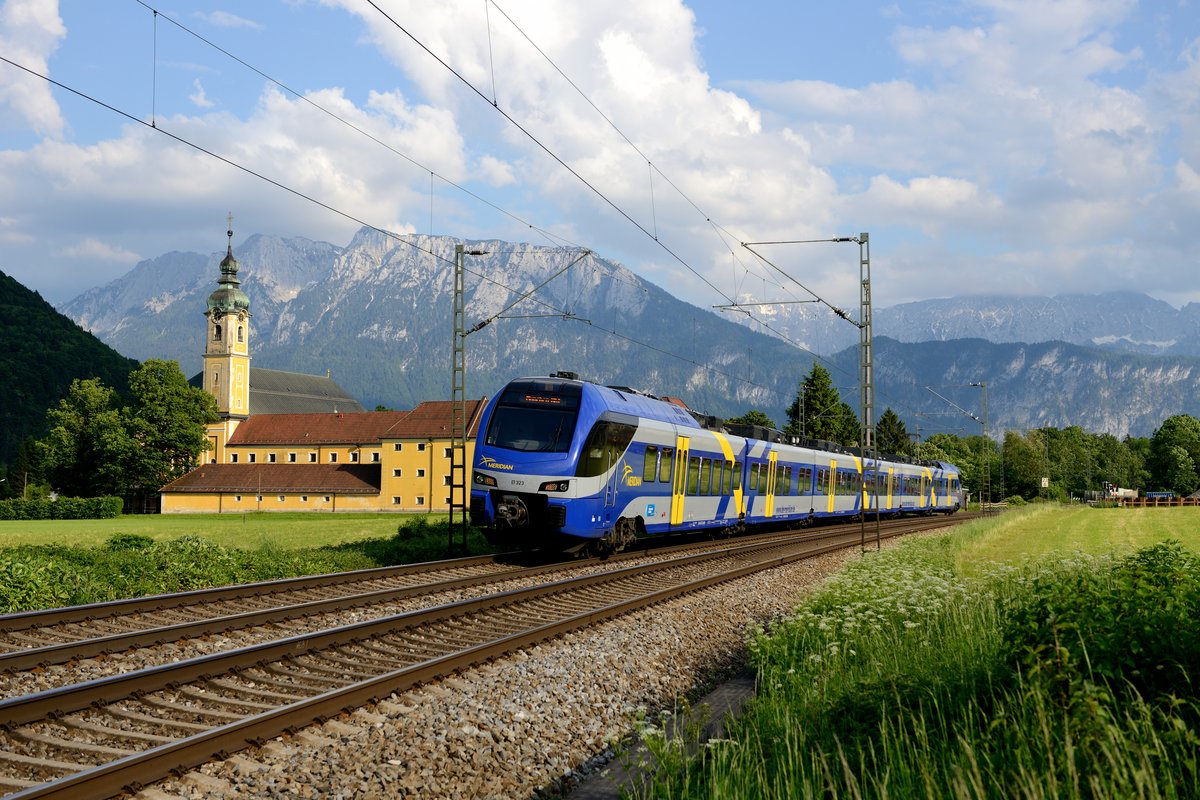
(273, 479)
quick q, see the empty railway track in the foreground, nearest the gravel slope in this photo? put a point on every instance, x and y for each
(101, 737)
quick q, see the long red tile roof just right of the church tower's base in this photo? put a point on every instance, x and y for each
(367, 428)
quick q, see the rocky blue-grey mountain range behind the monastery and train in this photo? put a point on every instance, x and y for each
(377, 315)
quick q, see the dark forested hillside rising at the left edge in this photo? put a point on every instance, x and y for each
(41, 353)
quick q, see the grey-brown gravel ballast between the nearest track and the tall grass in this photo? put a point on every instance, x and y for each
(532, 725)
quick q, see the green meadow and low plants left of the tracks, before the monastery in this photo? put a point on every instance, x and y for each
(63, 563)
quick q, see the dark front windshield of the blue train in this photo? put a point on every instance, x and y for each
(535, 419)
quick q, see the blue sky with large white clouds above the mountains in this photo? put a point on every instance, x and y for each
(989, 148)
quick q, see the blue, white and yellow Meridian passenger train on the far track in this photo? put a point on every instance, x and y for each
(568, 465)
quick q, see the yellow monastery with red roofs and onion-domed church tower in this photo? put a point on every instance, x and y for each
(289, 442)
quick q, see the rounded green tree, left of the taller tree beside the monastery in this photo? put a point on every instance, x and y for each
(88, 444)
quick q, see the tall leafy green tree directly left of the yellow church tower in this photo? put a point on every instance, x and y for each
(166, 419)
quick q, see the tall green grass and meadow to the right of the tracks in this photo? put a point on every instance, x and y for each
(1045, 654)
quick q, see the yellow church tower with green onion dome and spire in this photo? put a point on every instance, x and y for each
(227, 353)
